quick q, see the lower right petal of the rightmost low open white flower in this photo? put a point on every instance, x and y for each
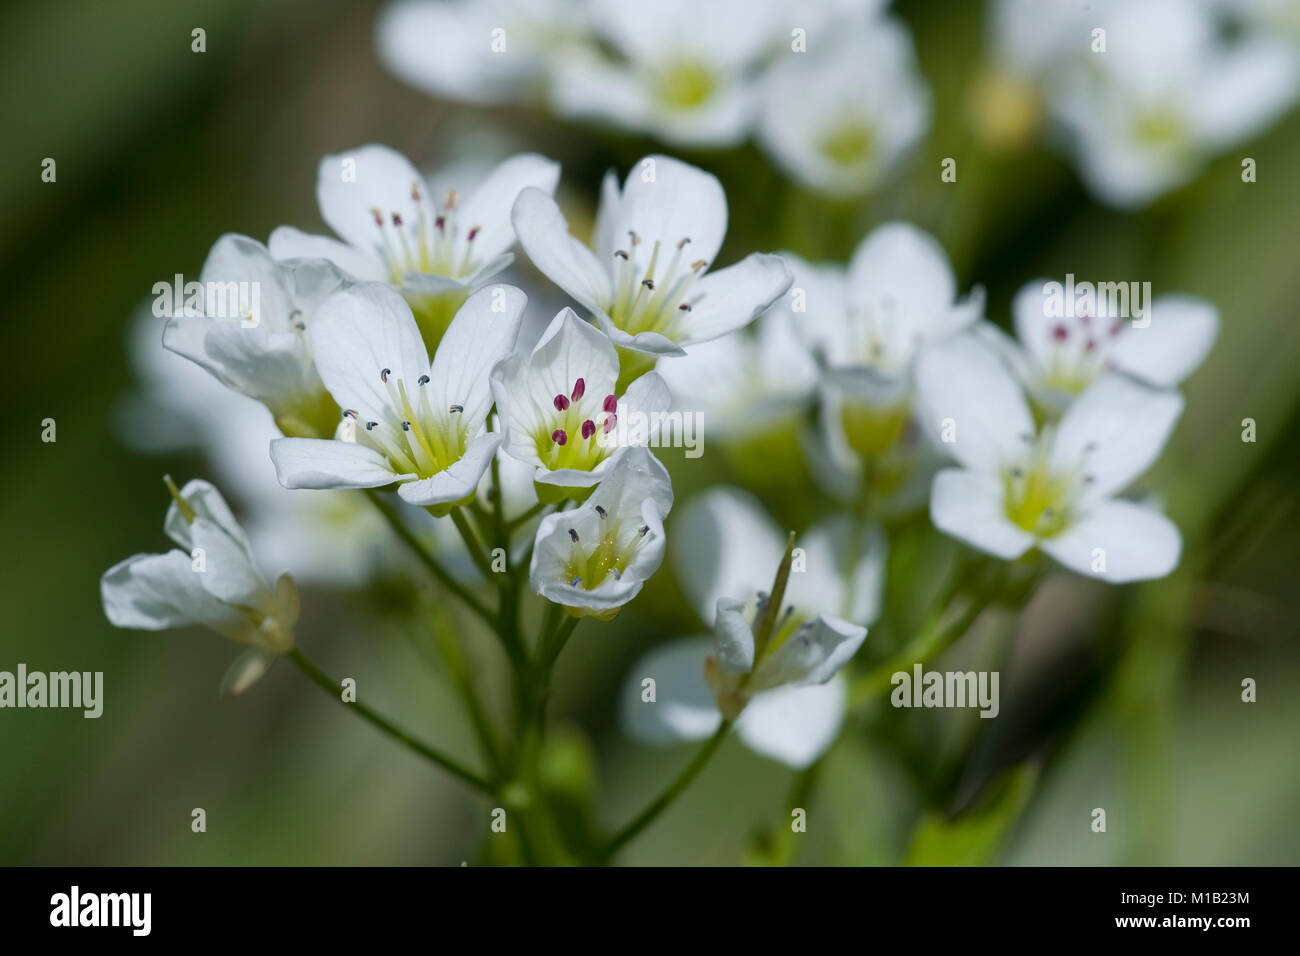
(1136, 544)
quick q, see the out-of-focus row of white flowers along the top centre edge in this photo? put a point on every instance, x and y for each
(830, 89)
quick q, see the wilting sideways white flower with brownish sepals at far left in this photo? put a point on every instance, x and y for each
(211, 581)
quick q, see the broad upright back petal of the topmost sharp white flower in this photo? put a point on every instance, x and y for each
(670, 201)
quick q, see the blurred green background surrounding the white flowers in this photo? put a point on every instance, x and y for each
(1121, 699)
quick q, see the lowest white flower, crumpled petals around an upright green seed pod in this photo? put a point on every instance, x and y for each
(792, 706)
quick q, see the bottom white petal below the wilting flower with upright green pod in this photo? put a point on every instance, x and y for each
(795, 725)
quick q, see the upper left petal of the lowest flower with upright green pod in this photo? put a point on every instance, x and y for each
(725, 546)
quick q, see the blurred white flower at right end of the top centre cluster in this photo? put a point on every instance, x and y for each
(839, 120)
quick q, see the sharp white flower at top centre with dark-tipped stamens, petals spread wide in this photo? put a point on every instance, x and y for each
(645, 282)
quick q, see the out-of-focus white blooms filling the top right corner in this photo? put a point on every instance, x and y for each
(1146, 92)
